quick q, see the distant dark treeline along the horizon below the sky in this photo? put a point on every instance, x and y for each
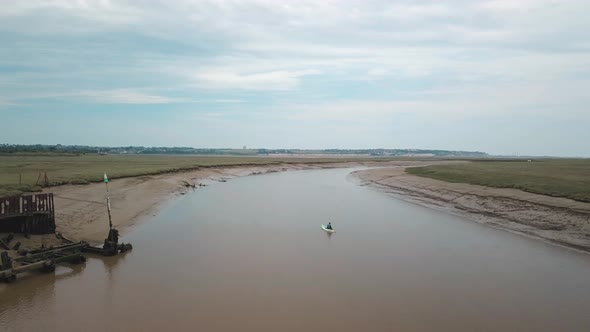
(82, 149)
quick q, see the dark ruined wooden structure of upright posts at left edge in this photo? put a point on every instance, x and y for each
(28, 214)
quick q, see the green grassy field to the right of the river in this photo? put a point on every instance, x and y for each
(554, 177)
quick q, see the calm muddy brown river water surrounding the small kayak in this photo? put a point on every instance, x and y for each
(249, 255)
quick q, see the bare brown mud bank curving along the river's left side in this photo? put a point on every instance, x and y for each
(81, 209)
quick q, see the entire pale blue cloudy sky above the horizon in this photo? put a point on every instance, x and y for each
(500, 76)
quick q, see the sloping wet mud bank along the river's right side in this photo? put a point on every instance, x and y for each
(557, 220)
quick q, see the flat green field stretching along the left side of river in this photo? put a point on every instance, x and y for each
(65, 169)
